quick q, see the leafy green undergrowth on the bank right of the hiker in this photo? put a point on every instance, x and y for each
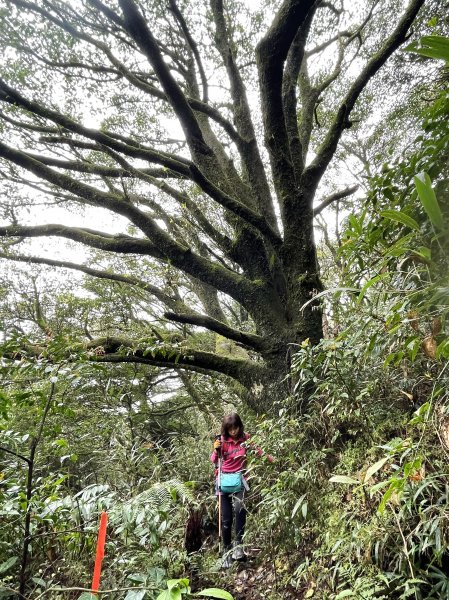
(390, 482)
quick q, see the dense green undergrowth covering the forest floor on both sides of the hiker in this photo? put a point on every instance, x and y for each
(355, 504)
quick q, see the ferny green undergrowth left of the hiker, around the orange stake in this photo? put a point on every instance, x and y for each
(80, 443)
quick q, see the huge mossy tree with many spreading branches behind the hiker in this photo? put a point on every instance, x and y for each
(89, 92)
